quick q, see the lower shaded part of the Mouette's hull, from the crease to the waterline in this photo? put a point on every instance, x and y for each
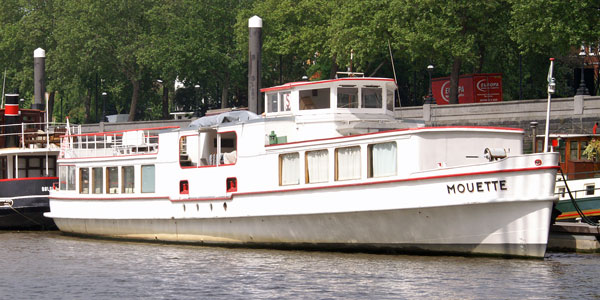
(520, 229)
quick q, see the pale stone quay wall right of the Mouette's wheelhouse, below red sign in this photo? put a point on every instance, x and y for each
(575, 115)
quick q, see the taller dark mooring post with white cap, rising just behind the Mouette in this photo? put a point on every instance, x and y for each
(254, 62)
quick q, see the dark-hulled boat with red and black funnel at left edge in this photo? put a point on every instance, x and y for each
(28, 150)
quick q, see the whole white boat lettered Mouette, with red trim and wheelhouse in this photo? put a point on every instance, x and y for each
(326, 167)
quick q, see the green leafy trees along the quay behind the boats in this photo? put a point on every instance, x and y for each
(123, 47)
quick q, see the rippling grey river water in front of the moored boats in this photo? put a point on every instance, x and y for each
(49, 265)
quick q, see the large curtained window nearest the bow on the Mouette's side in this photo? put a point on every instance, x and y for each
(382, 159)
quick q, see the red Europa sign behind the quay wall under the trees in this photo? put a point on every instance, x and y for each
(472, 88)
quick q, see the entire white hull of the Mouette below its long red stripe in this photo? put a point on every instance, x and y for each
(403, 216)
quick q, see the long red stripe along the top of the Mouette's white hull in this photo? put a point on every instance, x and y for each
(229, 197)
